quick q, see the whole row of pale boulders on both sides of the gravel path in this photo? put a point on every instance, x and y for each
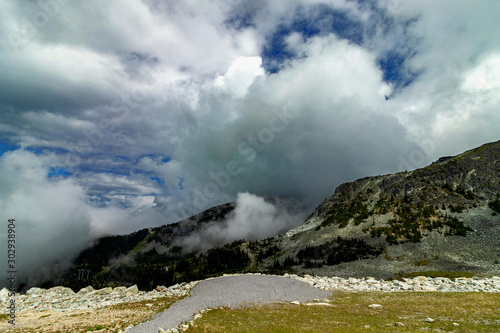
(63, 299)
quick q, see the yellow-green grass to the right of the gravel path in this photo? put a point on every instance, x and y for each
(350, 313)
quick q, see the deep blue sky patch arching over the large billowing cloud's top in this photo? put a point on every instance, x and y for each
(321, 20)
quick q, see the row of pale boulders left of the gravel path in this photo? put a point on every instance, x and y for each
(64, 299)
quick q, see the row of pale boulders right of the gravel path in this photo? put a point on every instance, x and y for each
(420, 283)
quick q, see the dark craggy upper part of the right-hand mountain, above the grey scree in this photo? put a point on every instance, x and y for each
(451, 185)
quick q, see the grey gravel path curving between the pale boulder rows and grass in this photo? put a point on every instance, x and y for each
(235, 290)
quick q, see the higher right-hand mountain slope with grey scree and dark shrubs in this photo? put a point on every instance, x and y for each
(441, 217)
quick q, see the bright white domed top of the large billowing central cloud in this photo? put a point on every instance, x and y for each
(335, 69)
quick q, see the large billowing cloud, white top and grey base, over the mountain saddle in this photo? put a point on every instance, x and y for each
(336, 96)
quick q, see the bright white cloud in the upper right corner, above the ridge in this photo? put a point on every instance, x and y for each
(454, 48)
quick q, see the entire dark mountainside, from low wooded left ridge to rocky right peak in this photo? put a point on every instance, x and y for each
(444, 217)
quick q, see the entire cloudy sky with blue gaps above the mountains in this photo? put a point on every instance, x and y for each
(119, 115)
